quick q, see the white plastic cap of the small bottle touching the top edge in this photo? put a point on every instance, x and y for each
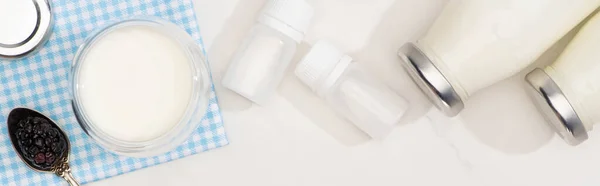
(291, 17)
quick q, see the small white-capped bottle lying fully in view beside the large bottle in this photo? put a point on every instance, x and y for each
(366, 102)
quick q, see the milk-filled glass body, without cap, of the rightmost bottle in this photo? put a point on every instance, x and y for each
(577, 73)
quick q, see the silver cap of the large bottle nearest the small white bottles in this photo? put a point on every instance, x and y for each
(430, 80)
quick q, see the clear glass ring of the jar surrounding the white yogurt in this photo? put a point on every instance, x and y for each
(195, 110)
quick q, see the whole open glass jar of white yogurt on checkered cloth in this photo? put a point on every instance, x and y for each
(140, 86)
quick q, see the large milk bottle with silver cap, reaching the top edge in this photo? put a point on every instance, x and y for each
(474, 44)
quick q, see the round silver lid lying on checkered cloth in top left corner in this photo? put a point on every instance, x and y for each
(26, 25)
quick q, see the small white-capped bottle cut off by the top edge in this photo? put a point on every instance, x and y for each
(259, 63)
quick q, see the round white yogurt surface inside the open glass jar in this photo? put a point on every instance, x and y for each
(135, 83)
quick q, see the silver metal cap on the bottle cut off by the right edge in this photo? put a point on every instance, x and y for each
(551, 101)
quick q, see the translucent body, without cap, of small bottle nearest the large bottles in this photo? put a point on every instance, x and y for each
(369, 104)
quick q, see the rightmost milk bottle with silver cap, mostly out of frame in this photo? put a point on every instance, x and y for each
(568, 91)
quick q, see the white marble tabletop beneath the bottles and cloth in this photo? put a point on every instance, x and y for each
(498, 140)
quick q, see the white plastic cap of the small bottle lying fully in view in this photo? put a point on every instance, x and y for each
(322, 66)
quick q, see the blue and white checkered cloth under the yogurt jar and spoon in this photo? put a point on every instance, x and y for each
(41, 82)
